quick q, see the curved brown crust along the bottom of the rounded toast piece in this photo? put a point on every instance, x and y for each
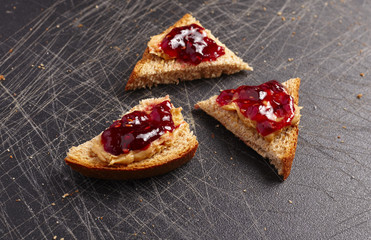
(126, 173)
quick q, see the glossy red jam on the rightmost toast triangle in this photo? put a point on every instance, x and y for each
(262, 104)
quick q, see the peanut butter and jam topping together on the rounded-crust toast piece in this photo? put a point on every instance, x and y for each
(141, 147)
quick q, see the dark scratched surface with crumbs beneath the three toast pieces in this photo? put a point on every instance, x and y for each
(66, 63)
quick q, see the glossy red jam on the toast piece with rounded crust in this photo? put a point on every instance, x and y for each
(138, 129)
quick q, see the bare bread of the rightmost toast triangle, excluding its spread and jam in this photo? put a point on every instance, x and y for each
(280, 151)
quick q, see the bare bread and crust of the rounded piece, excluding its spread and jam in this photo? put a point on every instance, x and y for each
(183, 147)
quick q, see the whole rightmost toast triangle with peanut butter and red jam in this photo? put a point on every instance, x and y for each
(265, 117)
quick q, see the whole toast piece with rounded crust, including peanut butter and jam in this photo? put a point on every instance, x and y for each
(151, 139)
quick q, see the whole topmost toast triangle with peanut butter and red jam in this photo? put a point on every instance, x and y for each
(184, 51)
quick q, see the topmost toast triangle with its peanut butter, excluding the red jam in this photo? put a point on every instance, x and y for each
(153, 69)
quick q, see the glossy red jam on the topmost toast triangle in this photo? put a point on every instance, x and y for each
(190, 44)
